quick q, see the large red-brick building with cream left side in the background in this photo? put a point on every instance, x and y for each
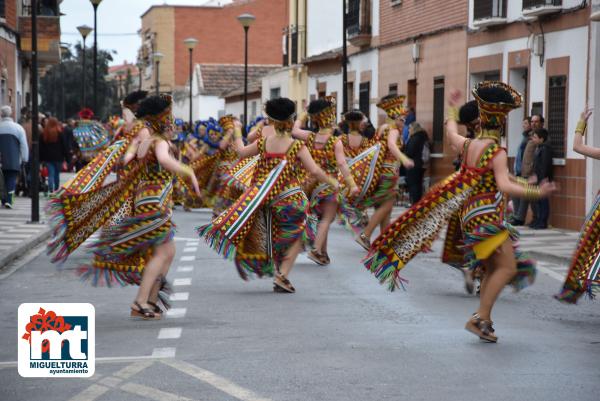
(220, 40)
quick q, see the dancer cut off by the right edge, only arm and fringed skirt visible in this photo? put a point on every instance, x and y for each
(584, 271)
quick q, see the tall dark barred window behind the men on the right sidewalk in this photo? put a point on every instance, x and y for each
(557, 99)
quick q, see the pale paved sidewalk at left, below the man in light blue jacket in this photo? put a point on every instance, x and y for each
(17, 234)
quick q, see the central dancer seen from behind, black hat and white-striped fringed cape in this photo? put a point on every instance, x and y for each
(262, 230)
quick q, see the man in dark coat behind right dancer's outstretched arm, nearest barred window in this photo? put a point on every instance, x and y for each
(542, 167)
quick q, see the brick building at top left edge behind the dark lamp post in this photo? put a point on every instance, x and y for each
(15, 48)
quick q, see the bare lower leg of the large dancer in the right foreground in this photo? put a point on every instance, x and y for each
(501, 269)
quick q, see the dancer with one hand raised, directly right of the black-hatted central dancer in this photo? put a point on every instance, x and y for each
(327, 151)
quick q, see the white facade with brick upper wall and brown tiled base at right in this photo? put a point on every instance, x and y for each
(541, 47)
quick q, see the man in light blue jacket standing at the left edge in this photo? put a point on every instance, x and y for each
(13, 152)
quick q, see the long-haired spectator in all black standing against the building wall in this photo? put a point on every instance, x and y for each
(414, 149)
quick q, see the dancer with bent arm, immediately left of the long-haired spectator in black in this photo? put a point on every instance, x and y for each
(386, 191)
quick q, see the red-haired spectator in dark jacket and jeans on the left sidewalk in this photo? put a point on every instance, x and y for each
(52, 151)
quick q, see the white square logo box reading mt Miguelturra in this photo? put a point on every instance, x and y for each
(78, 363)
